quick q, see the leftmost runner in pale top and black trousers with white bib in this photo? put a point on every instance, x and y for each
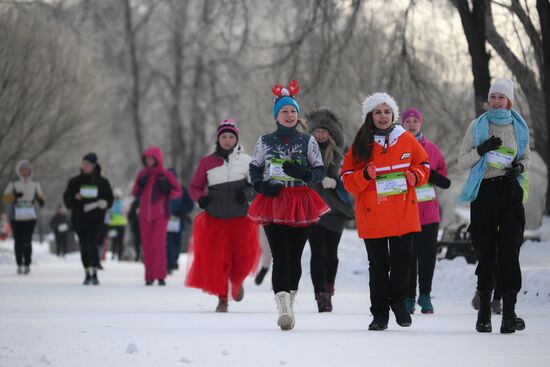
(23, 194)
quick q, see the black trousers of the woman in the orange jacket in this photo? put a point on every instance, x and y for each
(389, 270)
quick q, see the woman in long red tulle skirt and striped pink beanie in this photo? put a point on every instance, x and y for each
(225, 242)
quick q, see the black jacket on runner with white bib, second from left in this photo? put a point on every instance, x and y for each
(94, 219)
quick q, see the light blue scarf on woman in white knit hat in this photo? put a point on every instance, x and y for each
(480, 133)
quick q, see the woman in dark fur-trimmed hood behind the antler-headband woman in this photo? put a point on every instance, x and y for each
(324, 236)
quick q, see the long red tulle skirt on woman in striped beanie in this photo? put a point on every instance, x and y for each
(222, 254)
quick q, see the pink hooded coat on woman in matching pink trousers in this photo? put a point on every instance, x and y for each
(153, 204)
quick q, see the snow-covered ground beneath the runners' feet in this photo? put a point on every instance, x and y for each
(49, 319)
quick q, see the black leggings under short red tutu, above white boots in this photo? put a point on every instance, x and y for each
(287, 245)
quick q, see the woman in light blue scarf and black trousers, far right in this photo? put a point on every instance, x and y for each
(496, 152)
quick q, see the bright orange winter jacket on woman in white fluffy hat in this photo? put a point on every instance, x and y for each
(387, 216)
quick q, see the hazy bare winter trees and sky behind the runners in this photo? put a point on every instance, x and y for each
(115, 76)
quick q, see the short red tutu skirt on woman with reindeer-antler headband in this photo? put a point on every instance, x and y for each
(294, 206)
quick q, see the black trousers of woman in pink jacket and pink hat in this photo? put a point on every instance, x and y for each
(423, 261)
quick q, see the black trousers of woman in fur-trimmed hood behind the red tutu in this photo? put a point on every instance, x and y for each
(324, 257)
